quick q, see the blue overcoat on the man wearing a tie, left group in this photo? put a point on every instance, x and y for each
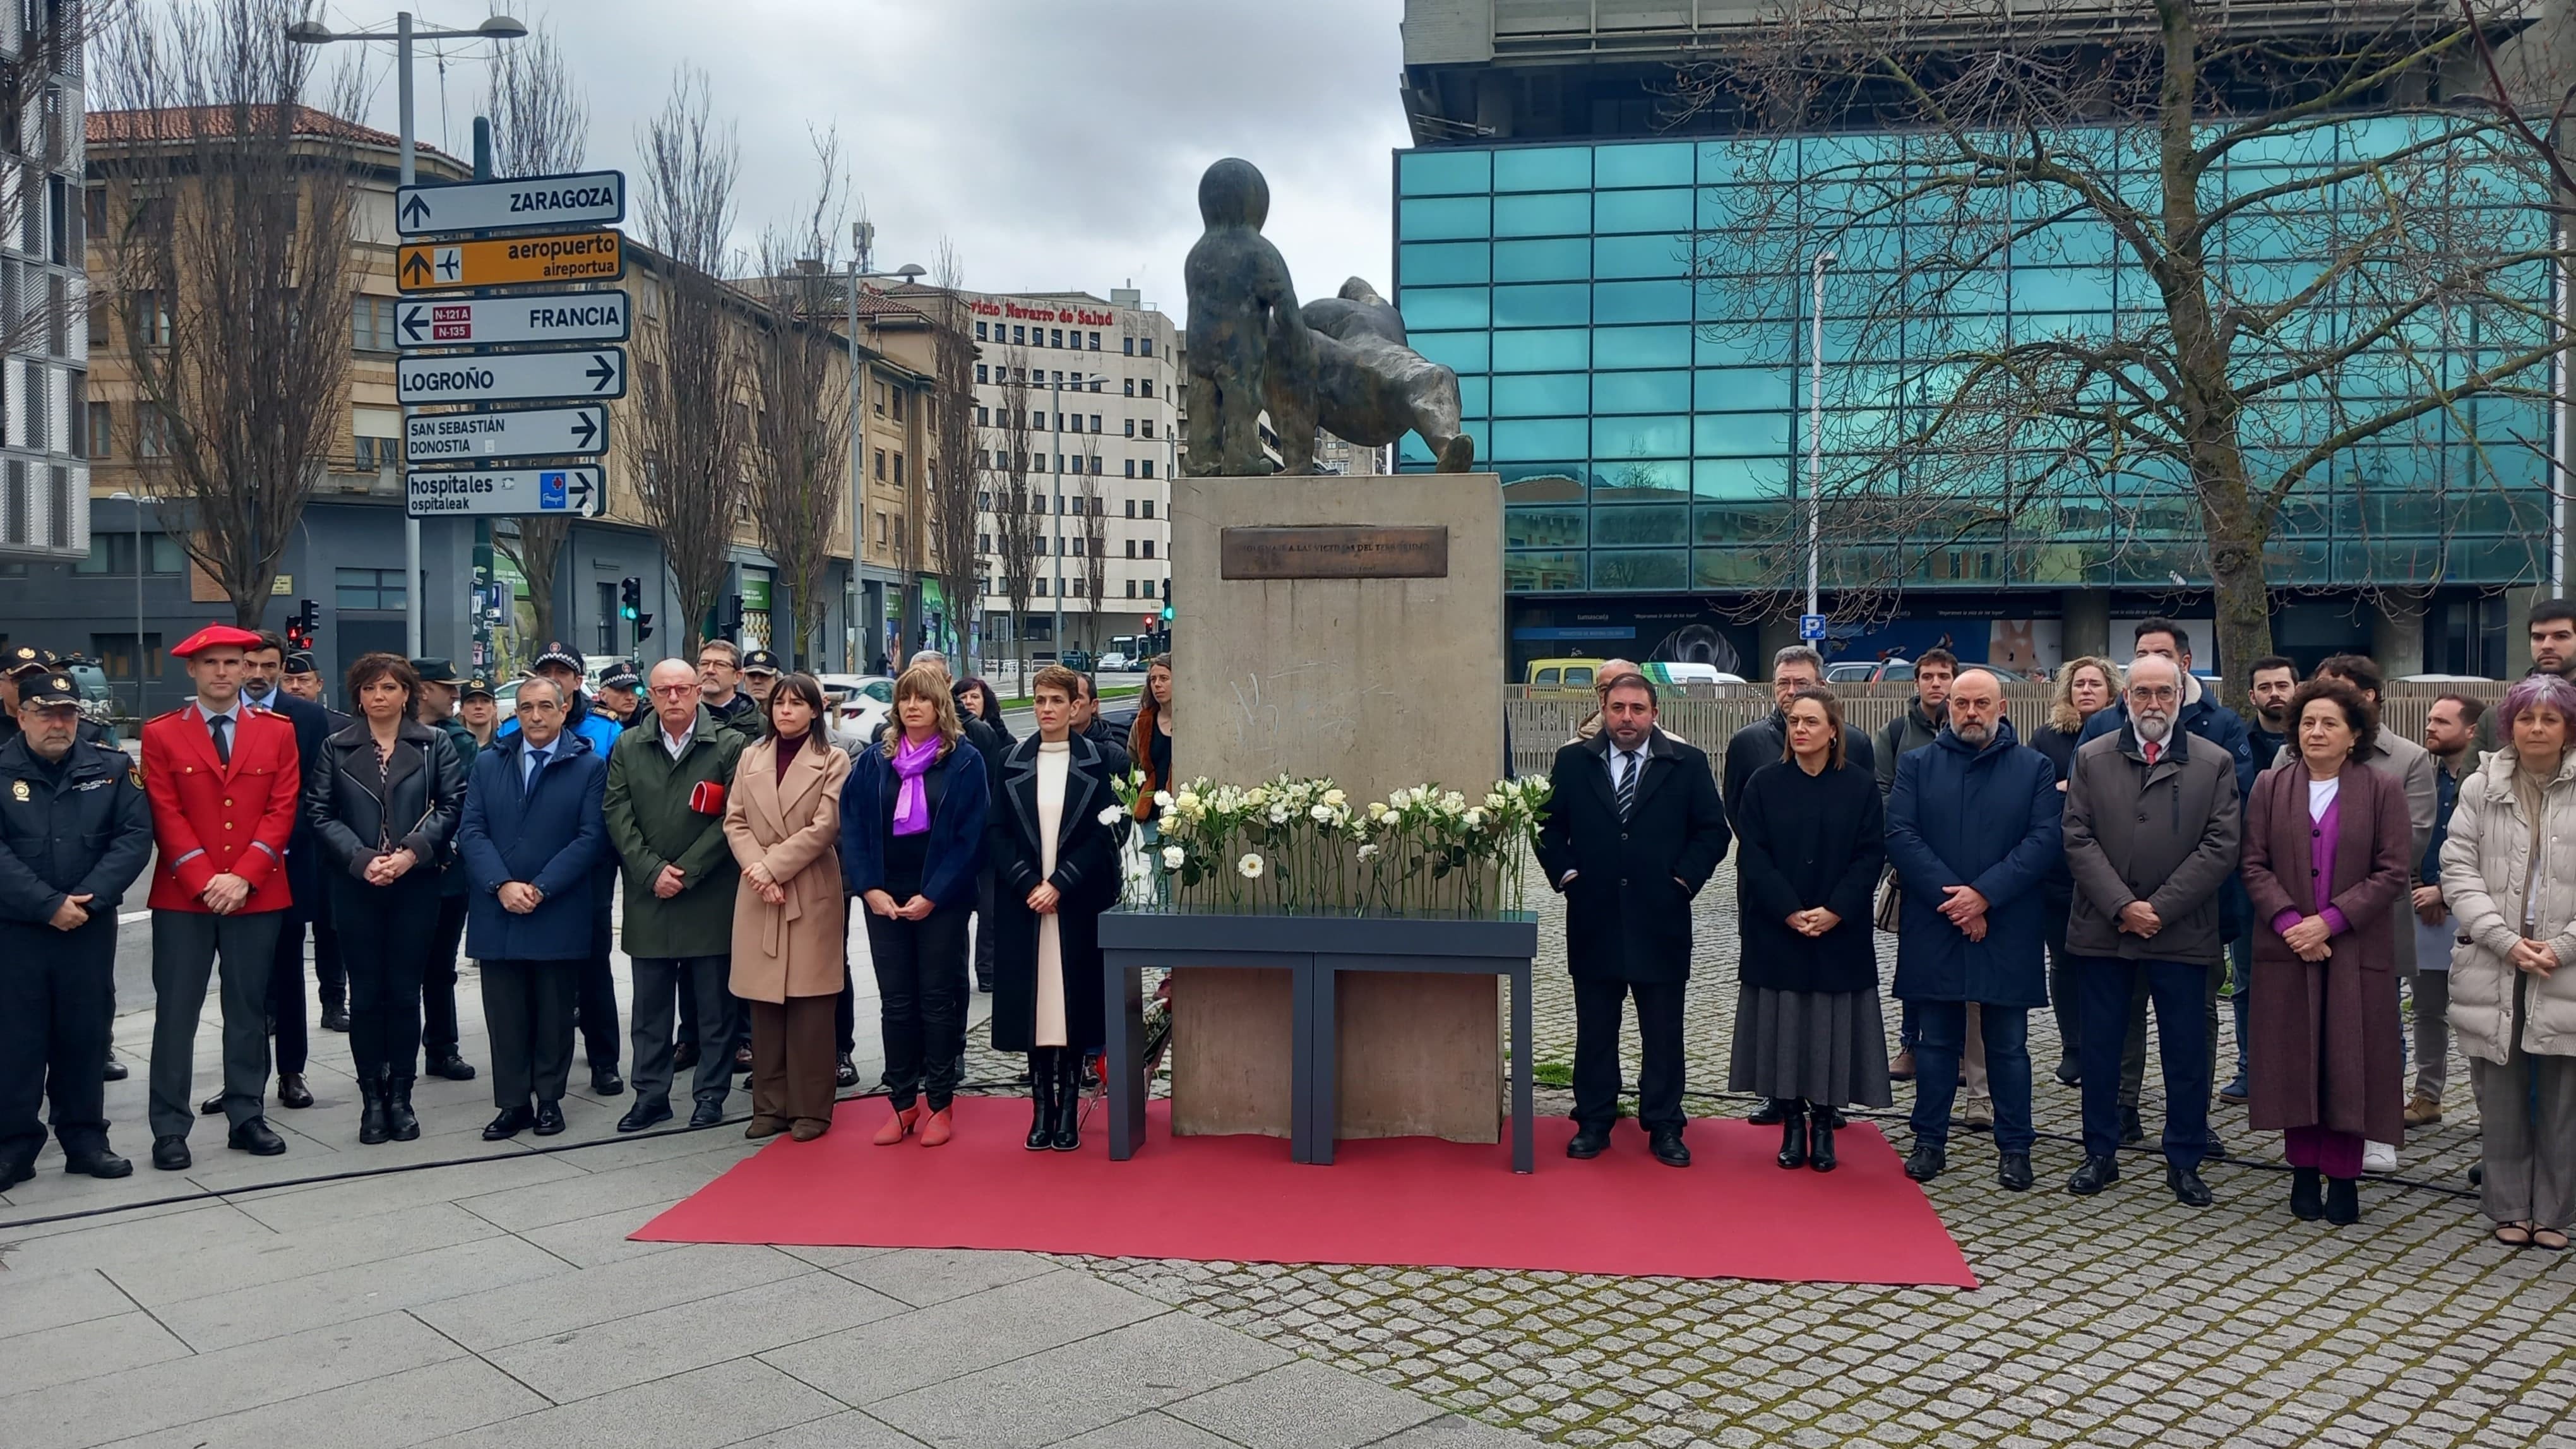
(550, 834)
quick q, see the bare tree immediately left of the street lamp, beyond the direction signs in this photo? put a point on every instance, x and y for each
(802, 429)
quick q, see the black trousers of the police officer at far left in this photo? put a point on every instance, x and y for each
(58, 1007)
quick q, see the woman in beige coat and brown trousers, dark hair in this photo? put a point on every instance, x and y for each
(790, 911)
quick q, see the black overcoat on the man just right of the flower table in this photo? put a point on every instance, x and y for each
(1629, 901)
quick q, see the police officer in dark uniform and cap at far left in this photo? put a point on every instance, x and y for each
(73, 837)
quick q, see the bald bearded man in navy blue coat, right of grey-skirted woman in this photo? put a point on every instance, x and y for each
(1972, 831)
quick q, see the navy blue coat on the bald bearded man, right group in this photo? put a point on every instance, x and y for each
(1990, 821)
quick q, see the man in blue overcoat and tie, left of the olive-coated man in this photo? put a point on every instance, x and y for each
(529, 842)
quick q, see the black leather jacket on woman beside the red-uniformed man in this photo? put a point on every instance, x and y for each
(359, 813)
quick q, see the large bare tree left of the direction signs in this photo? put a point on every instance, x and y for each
(231, 192)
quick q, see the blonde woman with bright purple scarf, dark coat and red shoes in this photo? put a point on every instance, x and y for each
(911, 847)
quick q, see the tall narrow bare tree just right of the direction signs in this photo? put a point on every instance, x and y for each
(694, 419)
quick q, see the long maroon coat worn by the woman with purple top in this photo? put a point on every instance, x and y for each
(2325, 1035)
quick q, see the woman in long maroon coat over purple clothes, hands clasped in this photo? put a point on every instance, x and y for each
(2327, 844)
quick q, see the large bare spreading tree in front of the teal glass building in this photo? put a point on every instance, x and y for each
(2322, 298)
